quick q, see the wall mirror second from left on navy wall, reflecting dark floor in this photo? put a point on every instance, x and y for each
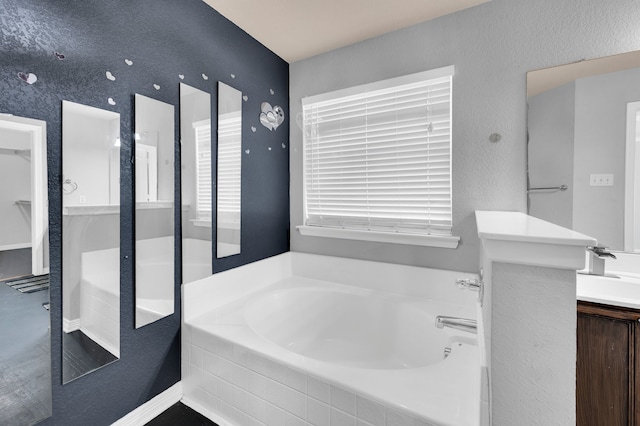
(90, 239)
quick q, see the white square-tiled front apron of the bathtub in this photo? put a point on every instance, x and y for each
(242, 390)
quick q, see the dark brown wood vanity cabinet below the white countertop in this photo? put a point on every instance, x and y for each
(607, 370)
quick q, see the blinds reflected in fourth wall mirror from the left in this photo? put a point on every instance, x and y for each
(203, 169)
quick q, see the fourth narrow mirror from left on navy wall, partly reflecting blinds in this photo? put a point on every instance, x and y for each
(195, 140)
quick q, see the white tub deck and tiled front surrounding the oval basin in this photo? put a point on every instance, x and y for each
(233, 381)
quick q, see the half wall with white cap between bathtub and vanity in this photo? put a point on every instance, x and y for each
(529, 311)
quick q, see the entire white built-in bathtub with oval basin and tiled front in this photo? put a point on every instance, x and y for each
(306, 339)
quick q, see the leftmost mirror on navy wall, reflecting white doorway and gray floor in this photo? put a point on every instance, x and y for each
(25, 360)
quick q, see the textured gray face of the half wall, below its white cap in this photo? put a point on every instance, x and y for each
(533, 345)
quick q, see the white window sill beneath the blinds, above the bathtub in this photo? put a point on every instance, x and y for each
(381, 237)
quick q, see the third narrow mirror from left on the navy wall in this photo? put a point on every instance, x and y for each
(154, 176)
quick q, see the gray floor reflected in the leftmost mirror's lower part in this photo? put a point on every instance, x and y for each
(25, 361)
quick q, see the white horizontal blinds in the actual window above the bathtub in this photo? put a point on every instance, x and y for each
(378, 157)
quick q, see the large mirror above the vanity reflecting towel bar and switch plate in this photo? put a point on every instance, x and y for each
(580, 135)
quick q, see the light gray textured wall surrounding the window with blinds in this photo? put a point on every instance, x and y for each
(492, 47)
